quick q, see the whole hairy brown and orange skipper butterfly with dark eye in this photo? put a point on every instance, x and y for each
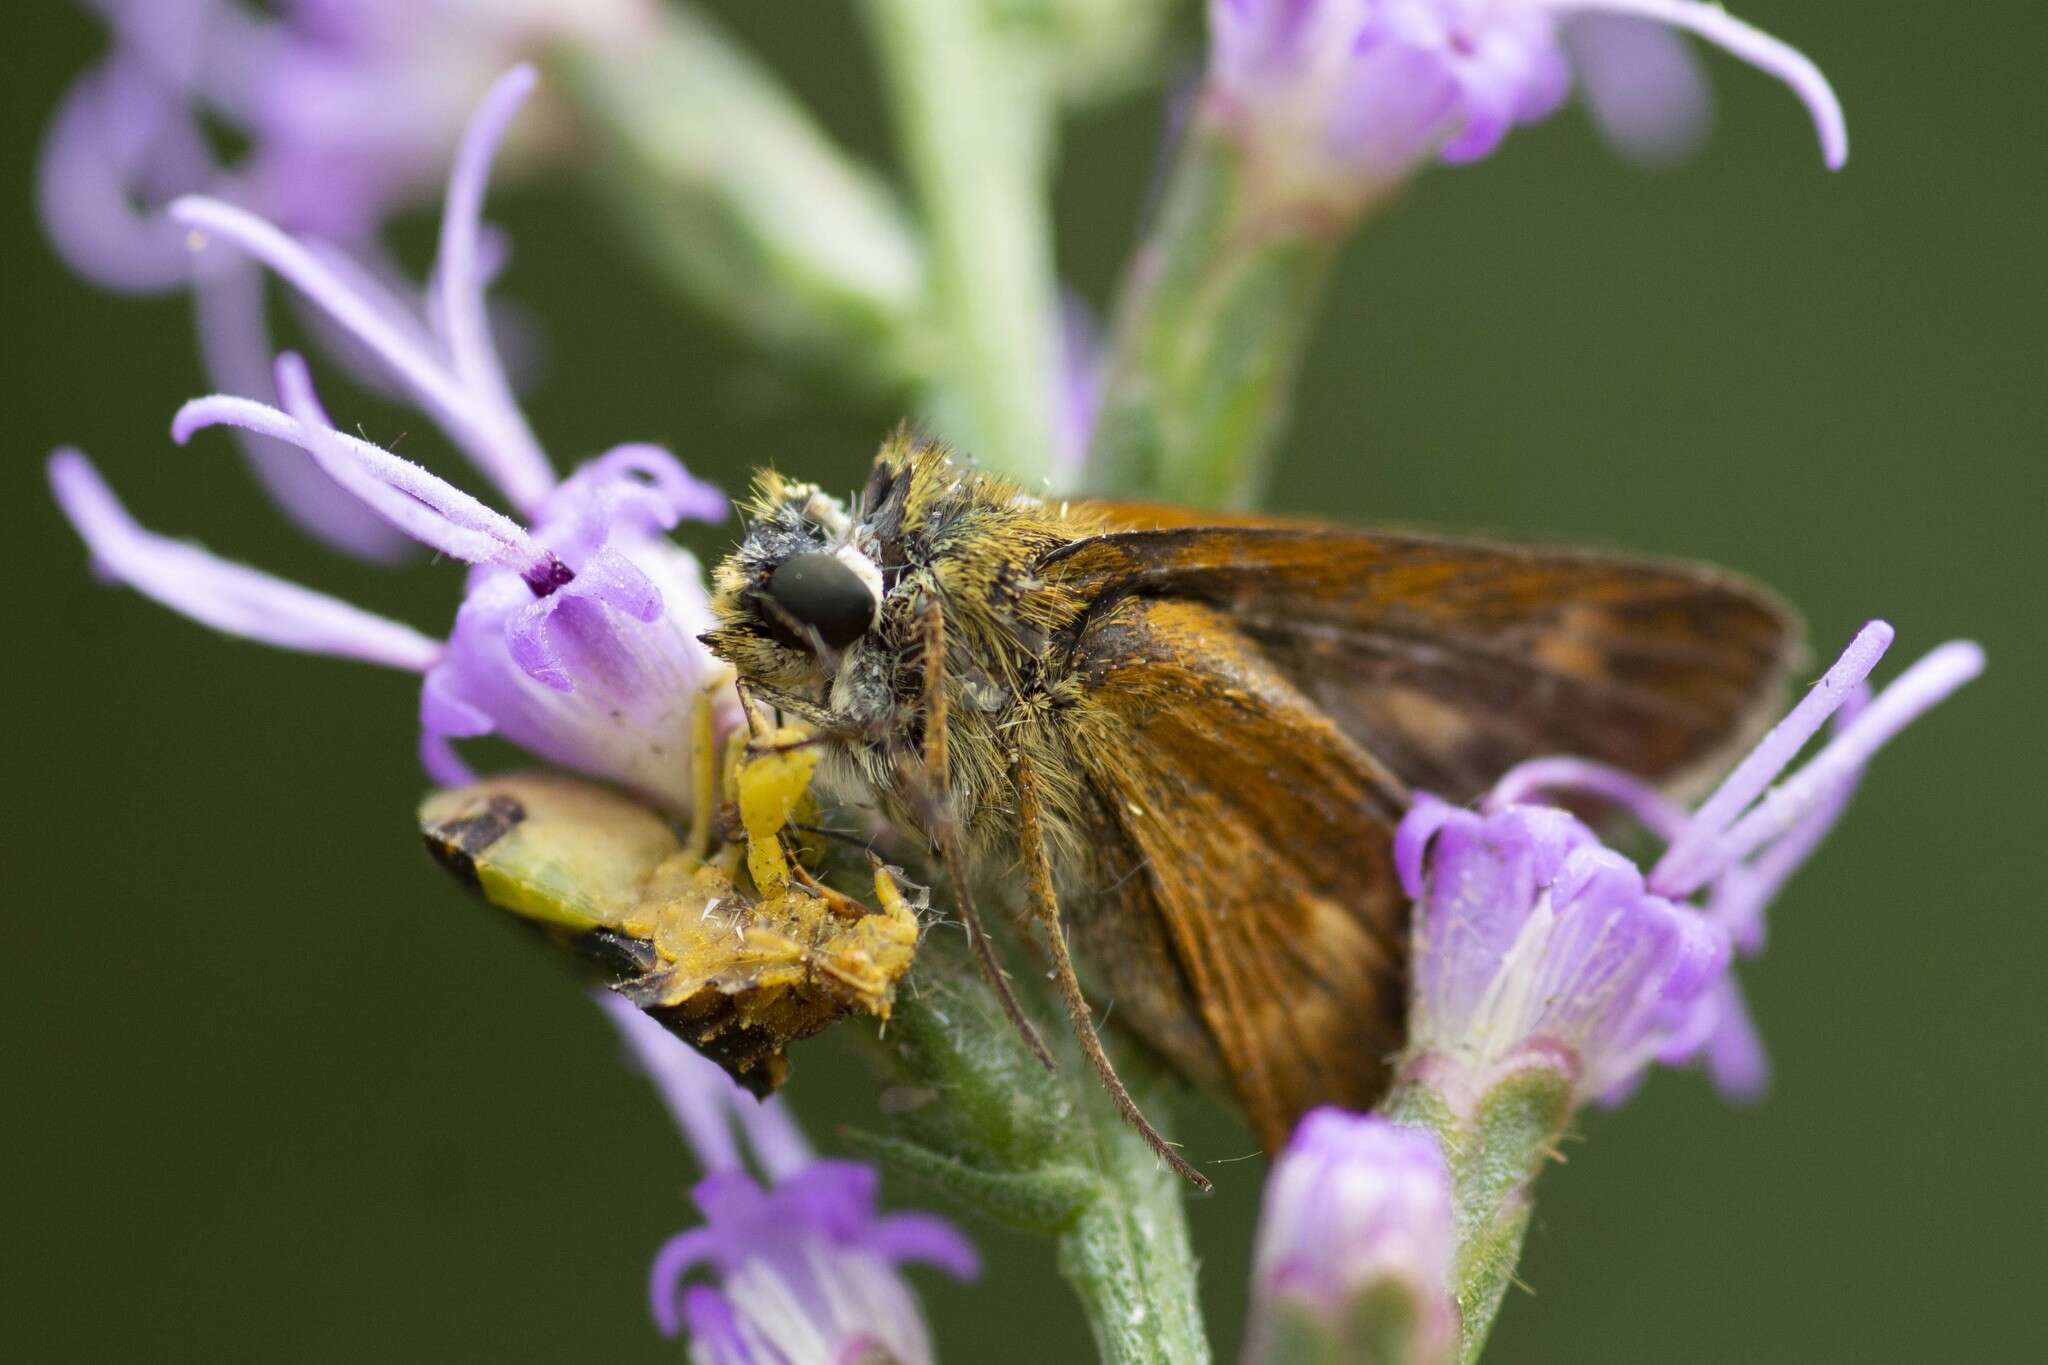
(1197, 734)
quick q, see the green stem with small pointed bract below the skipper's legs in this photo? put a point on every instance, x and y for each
(982, 1120)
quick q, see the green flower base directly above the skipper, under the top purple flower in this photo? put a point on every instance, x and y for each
(1211, 326)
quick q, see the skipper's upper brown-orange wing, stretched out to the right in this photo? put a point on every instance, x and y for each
(1455, 660)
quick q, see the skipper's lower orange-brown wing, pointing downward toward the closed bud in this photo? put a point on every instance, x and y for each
(1256, 836)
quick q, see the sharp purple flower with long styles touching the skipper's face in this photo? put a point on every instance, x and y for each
(579, 625)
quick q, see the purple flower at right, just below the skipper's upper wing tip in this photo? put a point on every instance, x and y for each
(1535, 944)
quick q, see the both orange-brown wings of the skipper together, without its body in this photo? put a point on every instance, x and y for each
(1263, 701)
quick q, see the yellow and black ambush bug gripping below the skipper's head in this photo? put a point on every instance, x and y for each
(734, 946)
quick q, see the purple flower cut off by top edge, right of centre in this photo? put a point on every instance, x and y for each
(1349, 97)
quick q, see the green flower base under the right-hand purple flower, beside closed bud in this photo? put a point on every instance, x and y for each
(1496, 1149)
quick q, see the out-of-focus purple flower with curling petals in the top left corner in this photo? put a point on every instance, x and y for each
(349, 109)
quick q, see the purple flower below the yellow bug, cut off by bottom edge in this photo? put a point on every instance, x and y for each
(794, 1266)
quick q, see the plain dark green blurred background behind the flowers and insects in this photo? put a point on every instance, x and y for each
(275, 1090)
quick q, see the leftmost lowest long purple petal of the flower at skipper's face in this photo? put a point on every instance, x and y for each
(224, 595)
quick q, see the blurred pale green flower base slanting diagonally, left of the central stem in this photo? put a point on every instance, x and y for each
(744, 204)
